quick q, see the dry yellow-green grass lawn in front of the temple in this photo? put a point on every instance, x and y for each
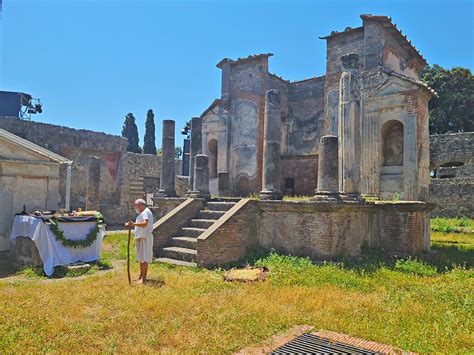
(424, 305)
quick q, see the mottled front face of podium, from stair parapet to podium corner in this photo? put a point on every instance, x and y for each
(316, 229)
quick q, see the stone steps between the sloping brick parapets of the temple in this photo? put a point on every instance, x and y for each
(182, 249)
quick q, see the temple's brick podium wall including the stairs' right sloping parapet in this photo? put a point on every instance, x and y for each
(319, 230)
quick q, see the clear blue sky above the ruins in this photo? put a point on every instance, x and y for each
(92, 62)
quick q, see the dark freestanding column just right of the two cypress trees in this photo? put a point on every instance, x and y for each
(167, 179)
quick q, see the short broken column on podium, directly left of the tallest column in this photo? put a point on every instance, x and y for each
(327, 169)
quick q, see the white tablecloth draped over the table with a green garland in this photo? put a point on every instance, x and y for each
(52, 251)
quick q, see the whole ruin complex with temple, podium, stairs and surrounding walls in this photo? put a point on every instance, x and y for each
(355, 142)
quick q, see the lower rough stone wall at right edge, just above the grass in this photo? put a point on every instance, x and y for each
(452, 197)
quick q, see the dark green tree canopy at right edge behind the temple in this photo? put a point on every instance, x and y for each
(453, 109)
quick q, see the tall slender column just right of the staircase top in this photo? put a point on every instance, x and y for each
(271, 147)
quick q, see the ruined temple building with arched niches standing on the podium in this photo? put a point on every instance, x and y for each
(371, 98)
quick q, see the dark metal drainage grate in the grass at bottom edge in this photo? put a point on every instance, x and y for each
(312, 344)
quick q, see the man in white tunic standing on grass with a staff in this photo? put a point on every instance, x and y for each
(143, 237)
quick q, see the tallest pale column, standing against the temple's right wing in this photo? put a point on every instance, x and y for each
(349, 128)
